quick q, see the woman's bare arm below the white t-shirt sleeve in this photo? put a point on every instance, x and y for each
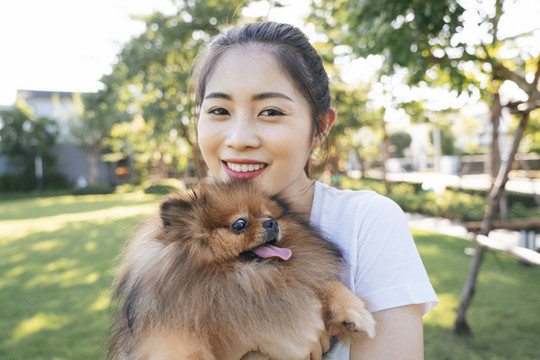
(399, 335)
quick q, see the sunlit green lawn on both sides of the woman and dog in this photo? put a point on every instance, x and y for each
(57, 256)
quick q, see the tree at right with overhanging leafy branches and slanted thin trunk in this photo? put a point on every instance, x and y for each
(426, 38)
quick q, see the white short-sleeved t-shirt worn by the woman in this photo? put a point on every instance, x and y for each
(384, 267)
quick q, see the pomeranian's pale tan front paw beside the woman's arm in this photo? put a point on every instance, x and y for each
(346, 315)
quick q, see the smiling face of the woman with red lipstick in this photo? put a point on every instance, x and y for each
(254, 124)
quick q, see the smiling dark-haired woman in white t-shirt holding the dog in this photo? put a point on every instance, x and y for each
(263, 106)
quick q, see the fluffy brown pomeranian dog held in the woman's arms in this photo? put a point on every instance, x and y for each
(219, 271)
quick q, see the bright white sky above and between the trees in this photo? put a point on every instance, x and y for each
(67, 45)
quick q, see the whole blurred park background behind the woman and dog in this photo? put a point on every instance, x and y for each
(431, 96)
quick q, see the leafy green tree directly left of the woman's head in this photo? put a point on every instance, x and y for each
(152, 80)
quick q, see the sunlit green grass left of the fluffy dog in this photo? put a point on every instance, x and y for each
(56, 258)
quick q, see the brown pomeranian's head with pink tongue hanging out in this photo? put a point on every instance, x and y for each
(223, 221)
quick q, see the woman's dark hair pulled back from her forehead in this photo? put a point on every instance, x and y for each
(293, 52)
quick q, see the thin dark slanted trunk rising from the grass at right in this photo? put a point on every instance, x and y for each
(494, 198)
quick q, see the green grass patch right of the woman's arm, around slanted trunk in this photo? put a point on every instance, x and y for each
(505, 312)
